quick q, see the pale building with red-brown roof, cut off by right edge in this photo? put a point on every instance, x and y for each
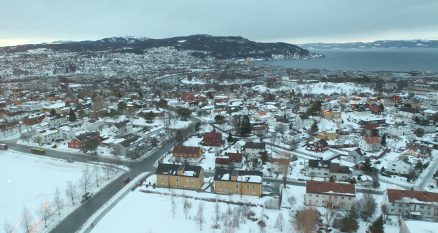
(410, 203)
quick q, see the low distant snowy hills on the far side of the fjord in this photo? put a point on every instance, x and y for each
(384, 44)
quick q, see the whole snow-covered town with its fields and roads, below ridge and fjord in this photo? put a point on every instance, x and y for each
(230, 147)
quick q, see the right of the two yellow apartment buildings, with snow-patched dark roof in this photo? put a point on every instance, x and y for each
(229, 181)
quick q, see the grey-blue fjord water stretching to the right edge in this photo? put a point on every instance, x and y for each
(420, 59)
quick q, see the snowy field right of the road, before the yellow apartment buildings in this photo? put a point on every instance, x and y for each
(150, 212)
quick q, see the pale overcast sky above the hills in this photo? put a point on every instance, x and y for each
(295, 21)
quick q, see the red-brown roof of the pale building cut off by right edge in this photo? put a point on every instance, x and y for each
(395, 195)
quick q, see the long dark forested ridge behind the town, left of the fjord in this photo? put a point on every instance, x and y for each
(201, 46)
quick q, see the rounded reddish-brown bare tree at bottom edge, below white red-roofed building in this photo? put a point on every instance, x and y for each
(306, 219)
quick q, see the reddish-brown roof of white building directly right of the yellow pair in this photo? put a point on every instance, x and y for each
(330, 188)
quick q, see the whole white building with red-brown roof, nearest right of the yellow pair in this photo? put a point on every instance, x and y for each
(329, 194)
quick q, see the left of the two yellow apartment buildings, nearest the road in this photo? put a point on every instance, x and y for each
(179, 176)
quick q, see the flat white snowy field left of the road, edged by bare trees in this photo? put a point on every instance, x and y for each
(27, 180)
